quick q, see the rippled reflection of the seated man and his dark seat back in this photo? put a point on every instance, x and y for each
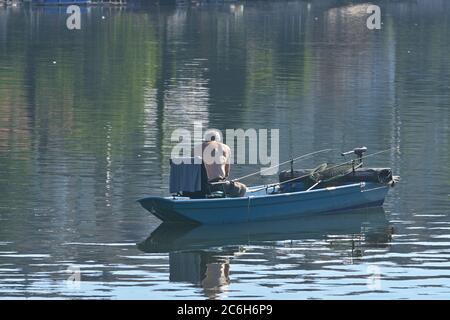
(203, 269)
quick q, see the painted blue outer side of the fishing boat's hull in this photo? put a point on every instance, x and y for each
(265, 207)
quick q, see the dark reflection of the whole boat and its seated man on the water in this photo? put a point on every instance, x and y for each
(201, 254)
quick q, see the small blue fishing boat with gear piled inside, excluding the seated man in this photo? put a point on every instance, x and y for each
(357, 187)
